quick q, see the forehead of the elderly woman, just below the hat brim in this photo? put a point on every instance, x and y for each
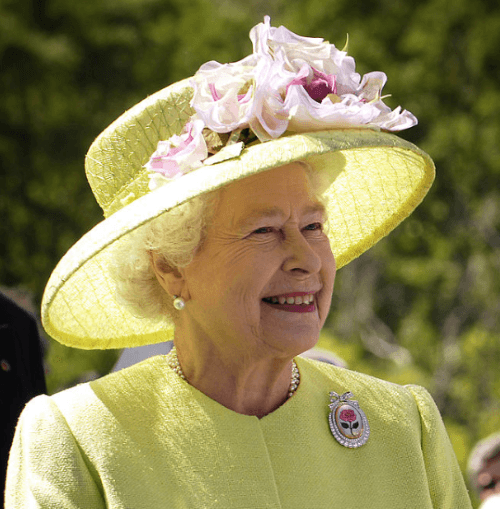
(273, 192)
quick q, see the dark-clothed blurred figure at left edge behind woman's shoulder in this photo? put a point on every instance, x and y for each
(21, 372)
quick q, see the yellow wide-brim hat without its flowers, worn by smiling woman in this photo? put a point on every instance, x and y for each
(376, 180)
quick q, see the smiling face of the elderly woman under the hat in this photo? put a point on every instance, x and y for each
(266, 244)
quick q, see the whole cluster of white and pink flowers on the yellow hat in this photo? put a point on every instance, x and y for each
(289, 83)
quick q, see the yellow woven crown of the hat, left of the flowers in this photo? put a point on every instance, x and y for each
(114, 164)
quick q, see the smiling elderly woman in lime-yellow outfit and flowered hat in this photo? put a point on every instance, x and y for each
(230, 200)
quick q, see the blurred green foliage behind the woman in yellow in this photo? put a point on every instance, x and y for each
(422, 307)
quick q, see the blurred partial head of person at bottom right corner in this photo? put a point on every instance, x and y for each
(484, 471)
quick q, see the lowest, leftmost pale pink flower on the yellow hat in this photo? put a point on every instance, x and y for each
(178, 155)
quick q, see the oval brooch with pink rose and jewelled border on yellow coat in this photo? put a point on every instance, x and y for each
(348, 422)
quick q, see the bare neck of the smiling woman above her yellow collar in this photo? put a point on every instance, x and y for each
(249, 386)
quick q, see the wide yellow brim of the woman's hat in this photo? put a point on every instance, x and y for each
(376, 180)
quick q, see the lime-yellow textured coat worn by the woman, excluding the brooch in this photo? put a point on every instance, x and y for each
(144, 438)
